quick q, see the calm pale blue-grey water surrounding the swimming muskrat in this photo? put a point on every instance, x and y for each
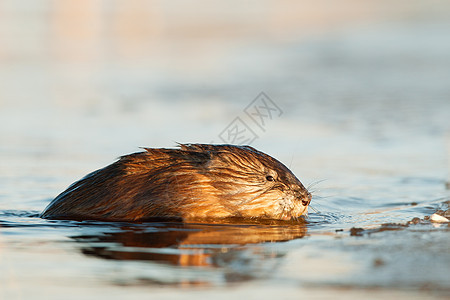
(364, 120)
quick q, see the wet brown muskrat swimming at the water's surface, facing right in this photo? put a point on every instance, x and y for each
(191, 183)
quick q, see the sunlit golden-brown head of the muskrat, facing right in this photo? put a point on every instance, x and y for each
(250, 183)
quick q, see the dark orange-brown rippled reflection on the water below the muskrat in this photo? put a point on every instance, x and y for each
(200, 253)
